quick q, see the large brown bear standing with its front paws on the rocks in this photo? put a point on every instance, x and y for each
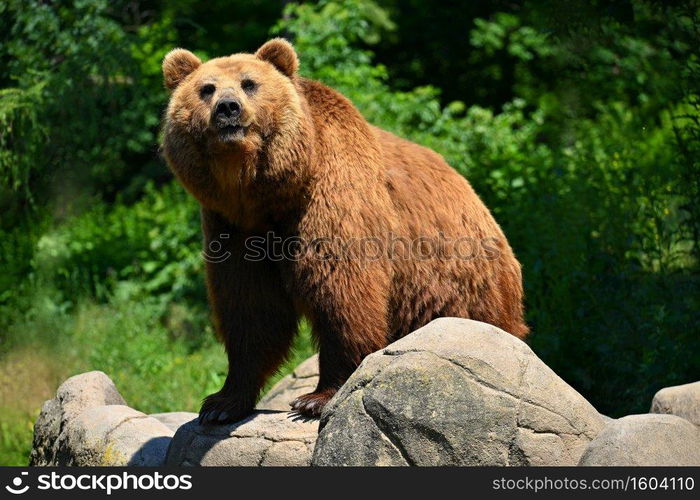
(387, 235)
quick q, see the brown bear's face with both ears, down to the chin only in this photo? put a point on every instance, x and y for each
(229, 99)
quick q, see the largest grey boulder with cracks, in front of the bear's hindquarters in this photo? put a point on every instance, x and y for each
(455, 392)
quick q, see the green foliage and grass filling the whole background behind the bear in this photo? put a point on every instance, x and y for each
(578, 126)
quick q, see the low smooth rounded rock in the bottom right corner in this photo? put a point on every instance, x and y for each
(645, 440)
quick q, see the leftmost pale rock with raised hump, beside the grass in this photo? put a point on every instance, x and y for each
(89, 424)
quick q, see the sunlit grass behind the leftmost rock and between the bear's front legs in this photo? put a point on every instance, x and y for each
(158, 361)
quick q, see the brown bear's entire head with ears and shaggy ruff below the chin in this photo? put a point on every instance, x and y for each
(233, 118)
